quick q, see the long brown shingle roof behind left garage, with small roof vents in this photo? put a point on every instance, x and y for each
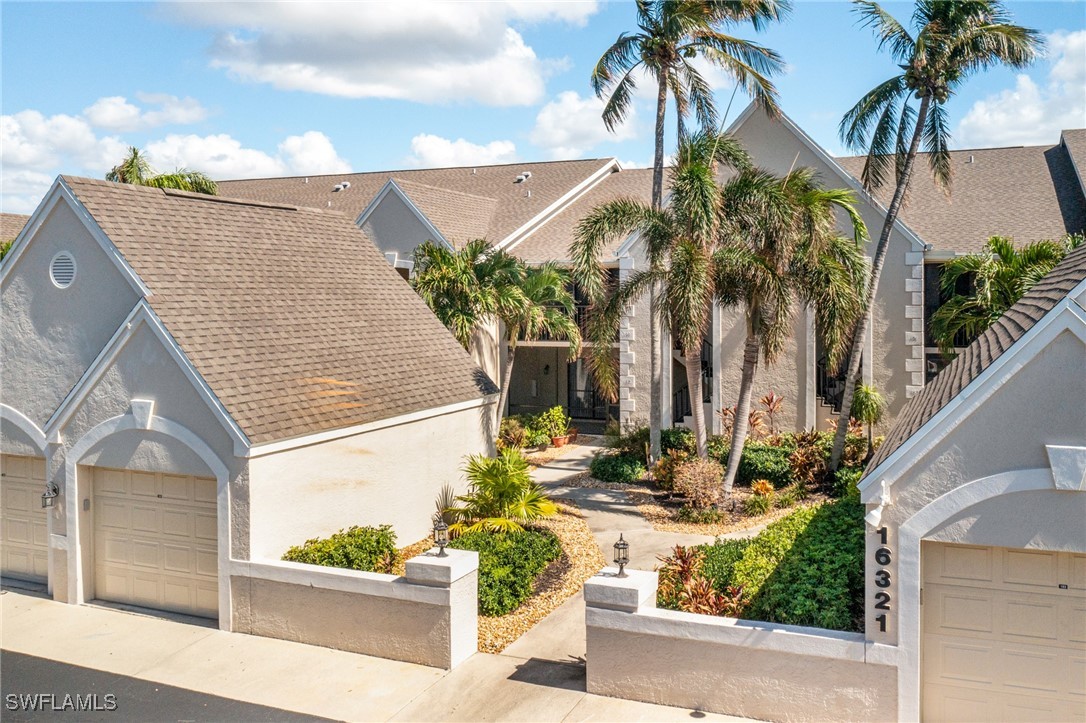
(514, 206)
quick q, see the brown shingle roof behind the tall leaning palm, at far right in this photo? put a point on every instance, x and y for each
(1027, 193)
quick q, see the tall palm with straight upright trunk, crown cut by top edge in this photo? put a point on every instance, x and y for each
(672, 33)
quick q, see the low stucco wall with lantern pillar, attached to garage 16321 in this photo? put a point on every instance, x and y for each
(726, 666)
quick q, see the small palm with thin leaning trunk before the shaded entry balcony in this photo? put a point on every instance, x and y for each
(546, 310)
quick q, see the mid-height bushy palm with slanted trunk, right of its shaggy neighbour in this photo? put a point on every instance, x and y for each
(782, 249)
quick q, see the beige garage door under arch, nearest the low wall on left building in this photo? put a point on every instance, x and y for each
(156, 541)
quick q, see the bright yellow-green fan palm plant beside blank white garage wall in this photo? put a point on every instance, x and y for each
(503, 497)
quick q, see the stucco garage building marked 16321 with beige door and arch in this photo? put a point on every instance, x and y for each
(977, 539)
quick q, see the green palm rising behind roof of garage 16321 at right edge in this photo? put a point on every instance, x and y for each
(1000, 276)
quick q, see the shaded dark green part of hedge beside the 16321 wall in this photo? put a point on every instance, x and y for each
(820, 580)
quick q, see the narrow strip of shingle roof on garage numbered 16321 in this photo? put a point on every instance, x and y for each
(982, 353)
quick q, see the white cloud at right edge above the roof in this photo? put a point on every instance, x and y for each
(1030, 113)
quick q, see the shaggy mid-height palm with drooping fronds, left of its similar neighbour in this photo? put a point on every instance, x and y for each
(683, 247)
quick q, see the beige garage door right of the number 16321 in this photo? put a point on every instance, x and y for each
(1004, 635)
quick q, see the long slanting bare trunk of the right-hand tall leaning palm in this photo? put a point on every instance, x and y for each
(865, 322)
